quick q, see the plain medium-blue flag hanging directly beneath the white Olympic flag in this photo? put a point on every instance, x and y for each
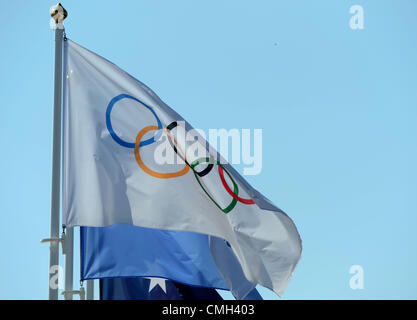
(128, 251)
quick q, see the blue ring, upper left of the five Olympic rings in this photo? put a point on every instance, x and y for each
(116, 137)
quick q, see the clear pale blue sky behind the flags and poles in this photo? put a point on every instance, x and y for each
(338, 109)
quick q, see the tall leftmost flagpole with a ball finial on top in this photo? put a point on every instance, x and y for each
(56, 154)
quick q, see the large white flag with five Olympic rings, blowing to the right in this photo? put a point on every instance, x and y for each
(113, 129)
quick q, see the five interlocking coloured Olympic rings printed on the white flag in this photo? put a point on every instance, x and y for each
(140, 143)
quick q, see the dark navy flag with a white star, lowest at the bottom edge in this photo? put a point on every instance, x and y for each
(152, 289)
